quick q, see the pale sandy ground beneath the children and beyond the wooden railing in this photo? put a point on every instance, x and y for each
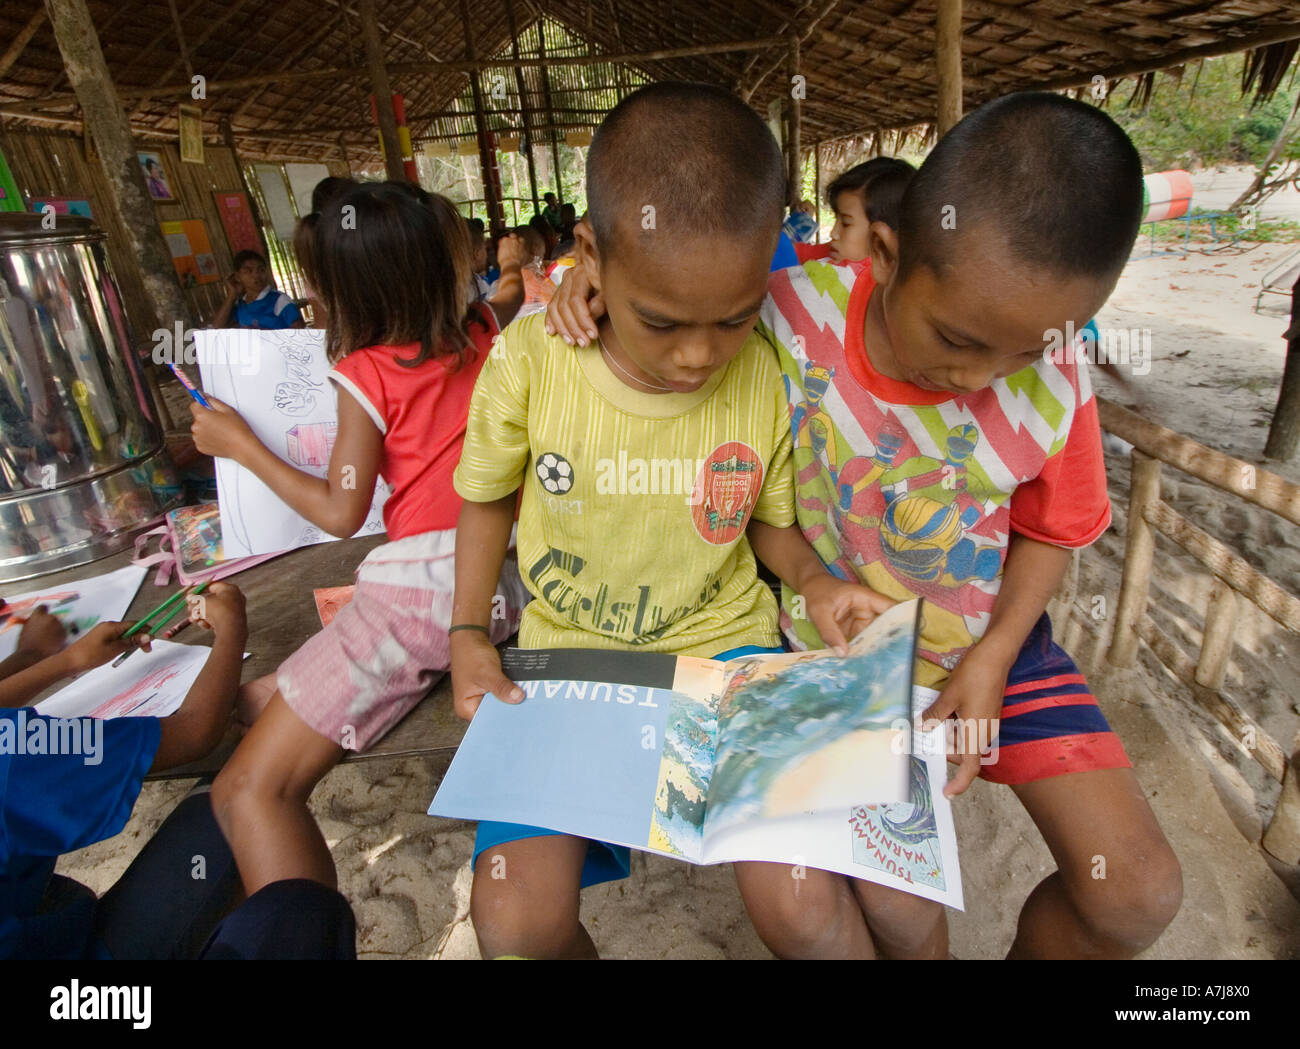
(1215, 375)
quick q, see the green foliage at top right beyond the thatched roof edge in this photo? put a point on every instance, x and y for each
(1202, 119)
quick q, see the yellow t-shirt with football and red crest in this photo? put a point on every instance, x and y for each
(632, 524)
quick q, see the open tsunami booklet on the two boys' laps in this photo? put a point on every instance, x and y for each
(801, 758)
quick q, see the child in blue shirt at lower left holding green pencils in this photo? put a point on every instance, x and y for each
(70, 783)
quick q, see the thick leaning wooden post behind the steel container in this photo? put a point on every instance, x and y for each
(109, 127)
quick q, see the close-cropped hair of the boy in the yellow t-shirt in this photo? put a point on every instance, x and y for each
(700, 157)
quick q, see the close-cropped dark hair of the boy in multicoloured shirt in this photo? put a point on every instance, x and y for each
(1054, 183)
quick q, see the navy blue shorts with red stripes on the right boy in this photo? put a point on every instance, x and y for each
(1051, 719)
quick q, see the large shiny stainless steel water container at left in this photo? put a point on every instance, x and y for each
(83, 465)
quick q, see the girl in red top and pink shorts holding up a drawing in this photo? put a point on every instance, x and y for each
(406, 356)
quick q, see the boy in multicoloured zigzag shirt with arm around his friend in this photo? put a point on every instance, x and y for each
(941, 452)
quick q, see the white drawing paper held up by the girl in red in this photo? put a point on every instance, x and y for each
(278, 382)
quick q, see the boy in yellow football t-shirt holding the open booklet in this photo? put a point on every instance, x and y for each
(677, 375)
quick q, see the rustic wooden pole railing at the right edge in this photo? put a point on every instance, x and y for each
(1234, 579)
